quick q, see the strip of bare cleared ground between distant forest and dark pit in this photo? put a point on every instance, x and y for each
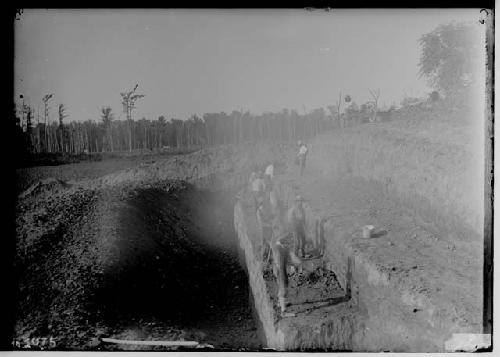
(227, 164)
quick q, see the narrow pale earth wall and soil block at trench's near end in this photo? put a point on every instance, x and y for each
(315, 327)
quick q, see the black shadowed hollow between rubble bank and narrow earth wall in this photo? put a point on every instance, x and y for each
(173, 270)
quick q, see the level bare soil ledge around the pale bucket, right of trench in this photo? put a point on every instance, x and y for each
(439, 264)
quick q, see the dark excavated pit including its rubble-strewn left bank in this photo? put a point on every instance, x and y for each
(149, 263)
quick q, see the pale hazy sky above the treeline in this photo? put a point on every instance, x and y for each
(188, 61)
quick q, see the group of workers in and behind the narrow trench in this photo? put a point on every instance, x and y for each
(283, 230)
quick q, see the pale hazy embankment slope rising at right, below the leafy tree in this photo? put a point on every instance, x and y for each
(432, 159)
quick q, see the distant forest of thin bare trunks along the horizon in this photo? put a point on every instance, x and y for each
(45, 135)
